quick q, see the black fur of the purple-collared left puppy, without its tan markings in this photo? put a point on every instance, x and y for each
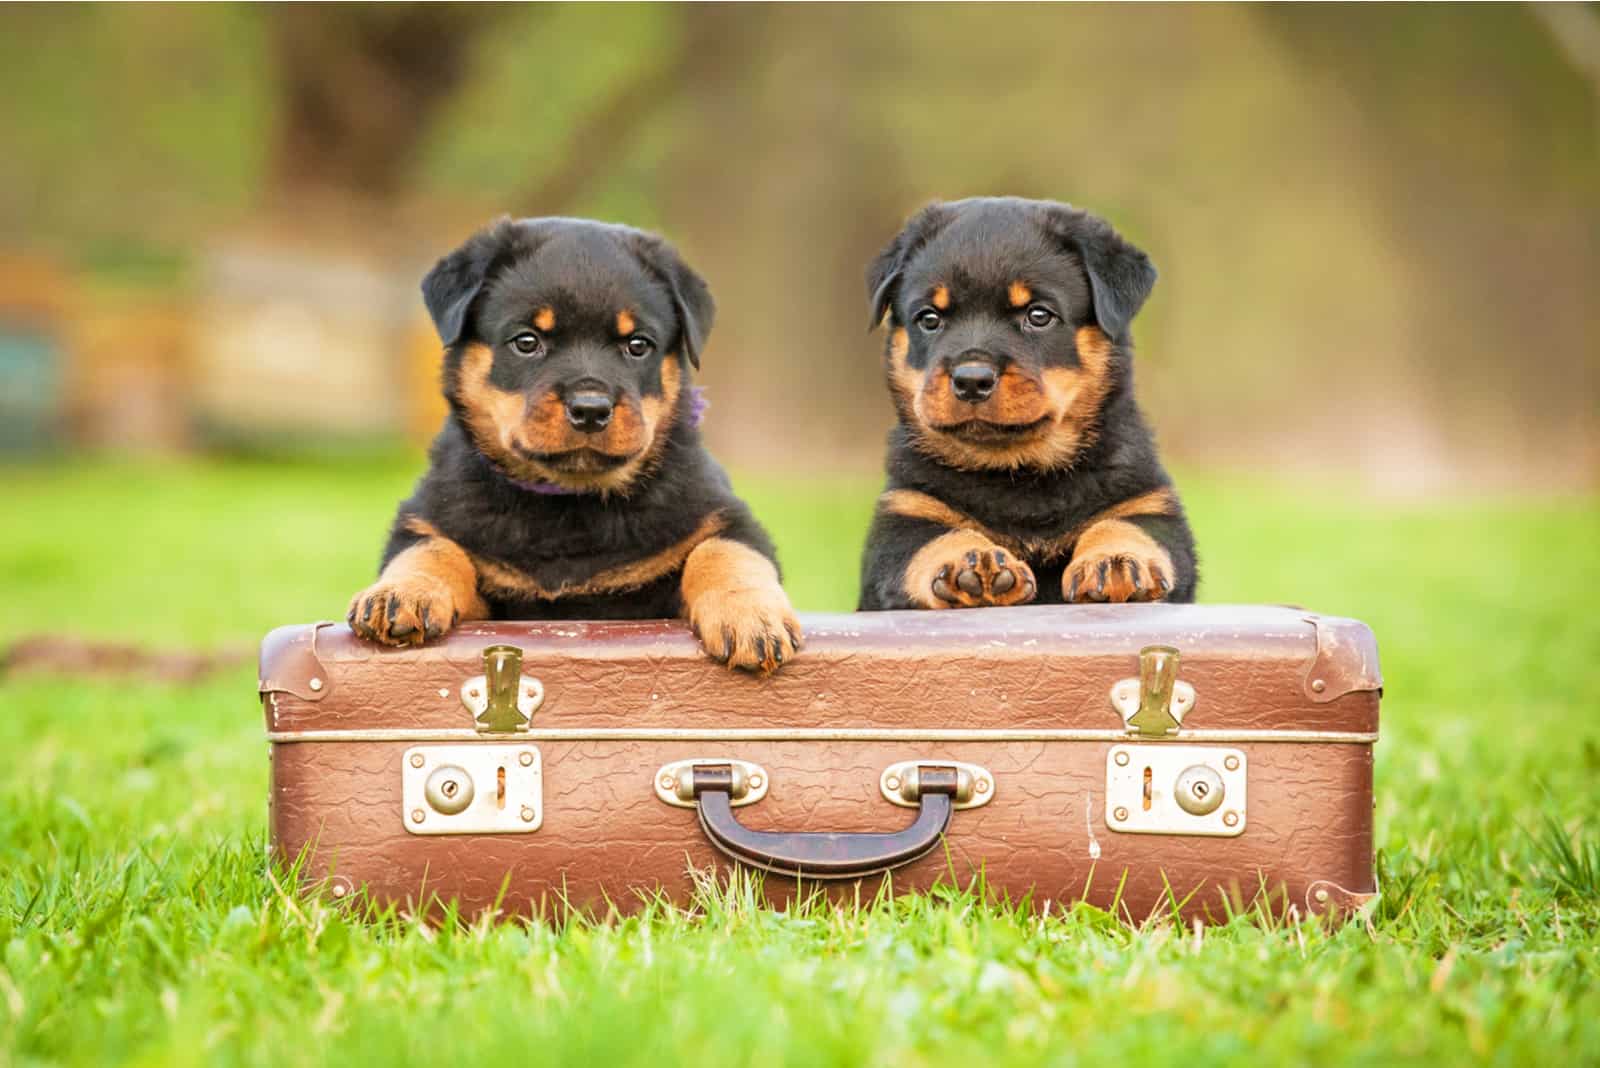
(487, 292)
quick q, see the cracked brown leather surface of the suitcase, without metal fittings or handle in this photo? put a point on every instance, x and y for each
(606, 835)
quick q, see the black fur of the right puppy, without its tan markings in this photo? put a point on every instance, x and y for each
(1094, 277)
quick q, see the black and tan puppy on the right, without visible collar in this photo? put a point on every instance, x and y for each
(1022, 469)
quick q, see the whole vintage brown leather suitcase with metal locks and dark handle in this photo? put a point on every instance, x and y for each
(1138, 757)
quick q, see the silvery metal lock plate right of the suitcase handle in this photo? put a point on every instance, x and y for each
(1170, 789)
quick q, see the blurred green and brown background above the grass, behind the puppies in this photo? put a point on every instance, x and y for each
(1378, 228)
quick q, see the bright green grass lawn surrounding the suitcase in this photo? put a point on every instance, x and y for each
(138, 922)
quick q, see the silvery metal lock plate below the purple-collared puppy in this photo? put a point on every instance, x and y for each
(473, 789)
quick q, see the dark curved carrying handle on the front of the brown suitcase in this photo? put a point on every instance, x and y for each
(825, 855)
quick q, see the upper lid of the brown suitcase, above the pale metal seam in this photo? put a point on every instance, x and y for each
(1006, 672)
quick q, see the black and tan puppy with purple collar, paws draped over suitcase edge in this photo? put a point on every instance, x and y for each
(569, 480)
